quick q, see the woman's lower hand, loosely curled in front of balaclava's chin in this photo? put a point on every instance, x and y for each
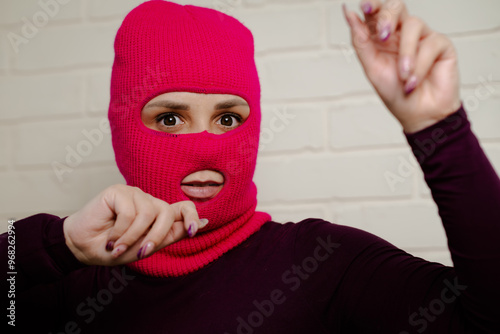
(123, 224)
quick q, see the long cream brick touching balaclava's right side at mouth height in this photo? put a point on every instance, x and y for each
(325, 176)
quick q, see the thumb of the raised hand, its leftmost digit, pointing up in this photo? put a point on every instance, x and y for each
(360, 37)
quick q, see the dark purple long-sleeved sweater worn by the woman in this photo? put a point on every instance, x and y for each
(308, 277)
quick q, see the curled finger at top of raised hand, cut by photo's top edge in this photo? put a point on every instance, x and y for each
(390, 17)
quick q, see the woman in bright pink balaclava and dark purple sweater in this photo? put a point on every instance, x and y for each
(181, 247)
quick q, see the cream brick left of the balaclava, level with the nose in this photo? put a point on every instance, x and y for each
(43, 143)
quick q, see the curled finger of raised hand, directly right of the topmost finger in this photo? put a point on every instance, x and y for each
(413, 30)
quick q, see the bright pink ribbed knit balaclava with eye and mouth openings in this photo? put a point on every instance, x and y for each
(164, 47)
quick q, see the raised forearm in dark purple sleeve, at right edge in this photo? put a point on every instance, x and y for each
(467, 191)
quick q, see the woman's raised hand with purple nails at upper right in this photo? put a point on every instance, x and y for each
(412, 68)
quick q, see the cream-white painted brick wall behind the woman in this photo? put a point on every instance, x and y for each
(325, 158)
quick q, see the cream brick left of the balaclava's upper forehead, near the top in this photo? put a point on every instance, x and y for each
(72, 46)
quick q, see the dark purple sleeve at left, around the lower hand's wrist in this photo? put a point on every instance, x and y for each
(40, 252)
